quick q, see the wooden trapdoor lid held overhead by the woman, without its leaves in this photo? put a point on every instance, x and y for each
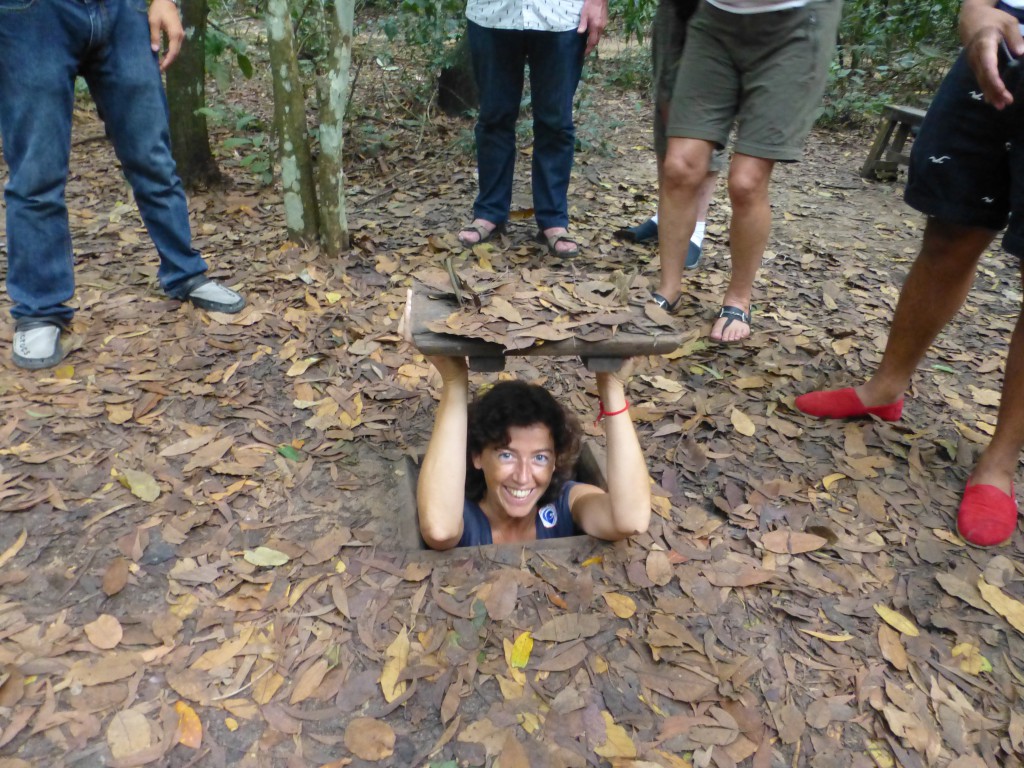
(426, 311)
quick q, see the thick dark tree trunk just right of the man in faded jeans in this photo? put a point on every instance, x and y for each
(186, 97)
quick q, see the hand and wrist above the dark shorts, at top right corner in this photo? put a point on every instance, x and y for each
(983, 28)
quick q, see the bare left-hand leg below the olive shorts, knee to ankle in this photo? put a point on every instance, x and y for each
(685, 170)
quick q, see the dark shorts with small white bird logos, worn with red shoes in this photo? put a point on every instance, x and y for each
(967, 165)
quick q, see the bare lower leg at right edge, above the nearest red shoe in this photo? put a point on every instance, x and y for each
(999, 464)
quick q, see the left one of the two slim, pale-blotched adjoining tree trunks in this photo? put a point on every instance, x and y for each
(298, 185)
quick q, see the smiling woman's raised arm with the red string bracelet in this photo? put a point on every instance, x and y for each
(625, 510)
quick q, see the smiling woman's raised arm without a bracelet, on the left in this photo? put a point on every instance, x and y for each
(442, 490)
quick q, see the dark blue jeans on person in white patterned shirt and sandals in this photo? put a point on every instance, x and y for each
(556, 66)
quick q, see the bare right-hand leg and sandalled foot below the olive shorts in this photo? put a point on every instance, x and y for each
(749, 232)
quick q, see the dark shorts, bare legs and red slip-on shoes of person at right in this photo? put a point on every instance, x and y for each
(967, 174)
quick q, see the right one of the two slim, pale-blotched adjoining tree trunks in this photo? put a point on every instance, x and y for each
(334, 99)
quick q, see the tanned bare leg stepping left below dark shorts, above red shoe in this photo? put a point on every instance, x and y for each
(933, 293)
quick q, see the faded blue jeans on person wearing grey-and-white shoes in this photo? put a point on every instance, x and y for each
(44, 46)
